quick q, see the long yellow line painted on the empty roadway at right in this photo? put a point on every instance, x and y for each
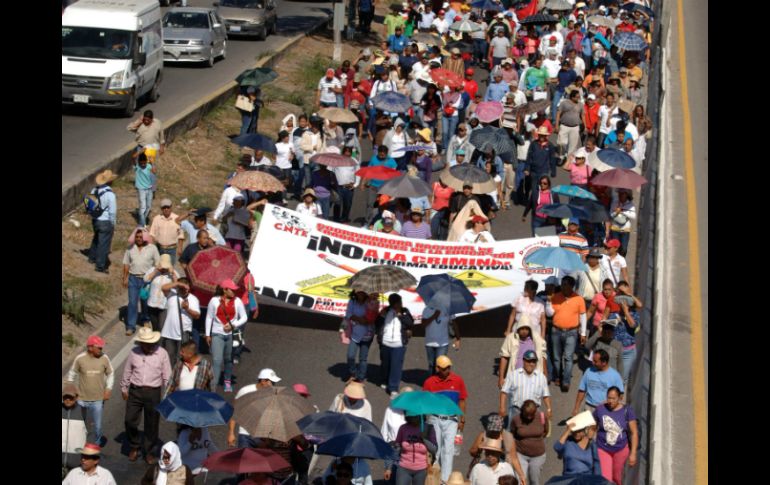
(700, 424)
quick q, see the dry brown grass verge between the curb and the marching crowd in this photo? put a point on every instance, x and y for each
(191, 173)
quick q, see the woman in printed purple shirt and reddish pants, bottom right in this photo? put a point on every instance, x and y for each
(616, 428)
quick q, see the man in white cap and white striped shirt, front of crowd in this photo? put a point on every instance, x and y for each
(523, 384)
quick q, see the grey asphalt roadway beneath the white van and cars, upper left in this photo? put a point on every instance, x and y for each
(91, 137)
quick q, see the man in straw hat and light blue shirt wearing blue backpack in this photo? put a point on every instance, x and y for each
(104, 223)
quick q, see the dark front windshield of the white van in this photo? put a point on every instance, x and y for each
(97, 43)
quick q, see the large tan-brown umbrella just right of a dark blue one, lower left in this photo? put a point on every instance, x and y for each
(272, 413)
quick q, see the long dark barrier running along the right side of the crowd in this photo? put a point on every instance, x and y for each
(640, 392)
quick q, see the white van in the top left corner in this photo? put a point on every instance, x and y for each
(112, 53)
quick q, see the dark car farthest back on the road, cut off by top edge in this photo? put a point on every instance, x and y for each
(249, 17)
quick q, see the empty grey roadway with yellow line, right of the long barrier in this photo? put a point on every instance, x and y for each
(688, 336)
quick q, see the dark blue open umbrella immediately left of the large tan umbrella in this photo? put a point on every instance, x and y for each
(195, 408)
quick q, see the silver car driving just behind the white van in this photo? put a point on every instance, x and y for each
(193, 35)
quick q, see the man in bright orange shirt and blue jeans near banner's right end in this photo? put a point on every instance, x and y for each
(568, 310)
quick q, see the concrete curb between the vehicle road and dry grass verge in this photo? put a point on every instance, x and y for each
(120, 162)
